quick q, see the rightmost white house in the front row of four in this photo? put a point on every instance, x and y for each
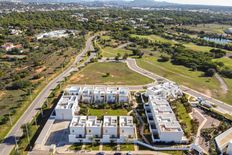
(126, 128)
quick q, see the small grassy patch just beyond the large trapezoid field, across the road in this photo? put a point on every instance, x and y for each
(112, 52)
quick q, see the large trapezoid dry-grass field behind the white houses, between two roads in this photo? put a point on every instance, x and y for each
(120, 74)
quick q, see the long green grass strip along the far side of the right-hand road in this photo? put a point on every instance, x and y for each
(184, 76)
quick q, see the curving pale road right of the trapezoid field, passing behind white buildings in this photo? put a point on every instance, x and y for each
(221, 106)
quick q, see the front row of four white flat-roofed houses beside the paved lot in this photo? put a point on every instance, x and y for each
(86, 129)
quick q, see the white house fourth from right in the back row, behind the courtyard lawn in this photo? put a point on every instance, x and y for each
(87, 95)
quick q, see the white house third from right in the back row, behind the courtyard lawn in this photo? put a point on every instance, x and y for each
(99, 95)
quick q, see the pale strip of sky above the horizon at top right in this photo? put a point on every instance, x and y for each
(204, 2)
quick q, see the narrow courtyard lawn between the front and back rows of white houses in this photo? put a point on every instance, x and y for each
(104, 112)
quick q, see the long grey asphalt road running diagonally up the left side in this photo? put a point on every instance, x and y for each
(9, 142)
